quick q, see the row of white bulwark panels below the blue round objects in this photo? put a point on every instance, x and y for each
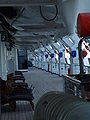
(54, 67)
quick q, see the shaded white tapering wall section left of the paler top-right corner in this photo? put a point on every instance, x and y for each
(69, 12)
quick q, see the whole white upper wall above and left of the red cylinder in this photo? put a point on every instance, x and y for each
(70, 10)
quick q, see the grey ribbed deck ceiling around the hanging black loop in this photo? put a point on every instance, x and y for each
(34, 29)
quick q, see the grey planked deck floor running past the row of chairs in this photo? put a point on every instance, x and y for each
(43, 82)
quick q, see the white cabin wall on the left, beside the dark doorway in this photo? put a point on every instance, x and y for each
(8, 60)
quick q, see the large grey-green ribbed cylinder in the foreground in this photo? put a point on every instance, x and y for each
(59, 106)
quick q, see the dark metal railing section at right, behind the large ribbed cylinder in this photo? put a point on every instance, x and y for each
(77, 87)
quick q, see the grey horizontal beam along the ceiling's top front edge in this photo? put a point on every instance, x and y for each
(27, 2)
